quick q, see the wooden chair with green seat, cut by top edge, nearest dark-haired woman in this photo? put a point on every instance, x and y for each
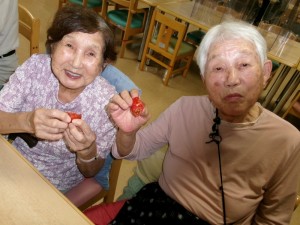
(128, 18)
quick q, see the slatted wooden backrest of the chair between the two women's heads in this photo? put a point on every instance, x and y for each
(163, 37)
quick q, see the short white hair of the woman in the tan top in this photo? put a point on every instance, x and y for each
(227, 31)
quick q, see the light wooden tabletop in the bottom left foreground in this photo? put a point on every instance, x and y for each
(27, 197)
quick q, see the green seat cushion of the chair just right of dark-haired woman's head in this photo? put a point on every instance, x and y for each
(120, 17)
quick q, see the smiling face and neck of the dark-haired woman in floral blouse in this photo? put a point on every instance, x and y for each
(76, 61)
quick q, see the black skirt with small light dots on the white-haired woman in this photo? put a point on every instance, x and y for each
(151, 206)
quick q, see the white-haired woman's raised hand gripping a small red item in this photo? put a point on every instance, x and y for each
(119, 111)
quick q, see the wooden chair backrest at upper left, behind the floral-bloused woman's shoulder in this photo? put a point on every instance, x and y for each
(29, 27)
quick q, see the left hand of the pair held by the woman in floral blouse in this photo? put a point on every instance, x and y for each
(48, 124)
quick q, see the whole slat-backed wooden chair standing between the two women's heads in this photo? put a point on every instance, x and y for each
(165, 38)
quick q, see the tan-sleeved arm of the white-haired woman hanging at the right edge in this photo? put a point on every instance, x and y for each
(280, 195)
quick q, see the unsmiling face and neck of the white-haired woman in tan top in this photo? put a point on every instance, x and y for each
(234, 77)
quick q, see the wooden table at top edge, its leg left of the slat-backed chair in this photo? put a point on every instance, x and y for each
(152, 4)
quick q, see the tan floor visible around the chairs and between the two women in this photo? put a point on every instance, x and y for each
(157, 96)
